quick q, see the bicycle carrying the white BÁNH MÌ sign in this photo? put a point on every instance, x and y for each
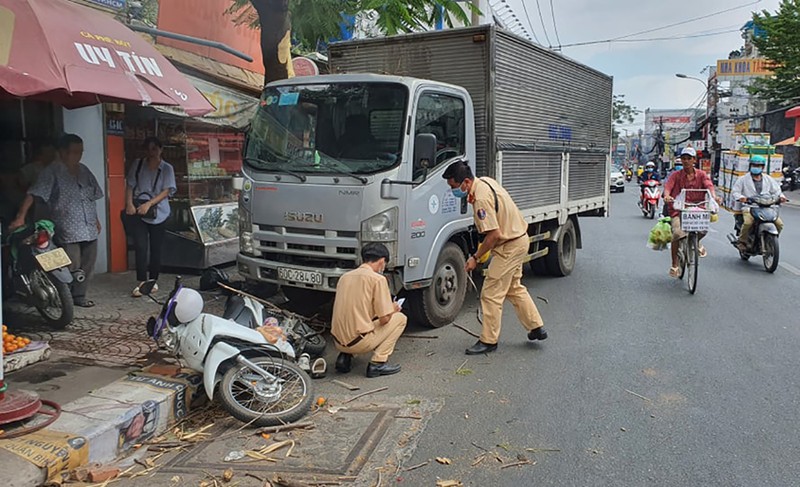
(695, 220)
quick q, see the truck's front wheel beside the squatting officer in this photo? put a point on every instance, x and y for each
(439, 304)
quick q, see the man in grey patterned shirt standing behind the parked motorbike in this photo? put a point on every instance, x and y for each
(70, 190)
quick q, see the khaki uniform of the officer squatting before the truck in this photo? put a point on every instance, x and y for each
(362, 297)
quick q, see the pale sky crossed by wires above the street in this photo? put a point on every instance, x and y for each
(644, 71)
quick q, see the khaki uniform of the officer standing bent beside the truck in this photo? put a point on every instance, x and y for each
(505, 270)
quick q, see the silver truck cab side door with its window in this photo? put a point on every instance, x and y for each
(432, 204)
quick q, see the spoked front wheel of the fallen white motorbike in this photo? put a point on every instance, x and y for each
(249, 398)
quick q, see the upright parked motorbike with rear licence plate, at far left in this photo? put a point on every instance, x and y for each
(41, 277)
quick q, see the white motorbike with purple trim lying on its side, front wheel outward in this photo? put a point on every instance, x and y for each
(259, 383)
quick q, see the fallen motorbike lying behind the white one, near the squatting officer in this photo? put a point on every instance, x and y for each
(306, 342)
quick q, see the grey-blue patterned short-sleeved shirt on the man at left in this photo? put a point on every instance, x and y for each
(71, 201)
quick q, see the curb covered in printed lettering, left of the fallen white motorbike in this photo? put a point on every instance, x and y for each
(111, 420)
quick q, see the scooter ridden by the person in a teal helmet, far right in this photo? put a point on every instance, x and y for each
(763, 238)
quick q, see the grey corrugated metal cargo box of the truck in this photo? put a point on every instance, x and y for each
(543, 121)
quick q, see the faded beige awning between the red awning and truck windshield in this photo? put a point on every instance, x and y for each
(233, 108)
